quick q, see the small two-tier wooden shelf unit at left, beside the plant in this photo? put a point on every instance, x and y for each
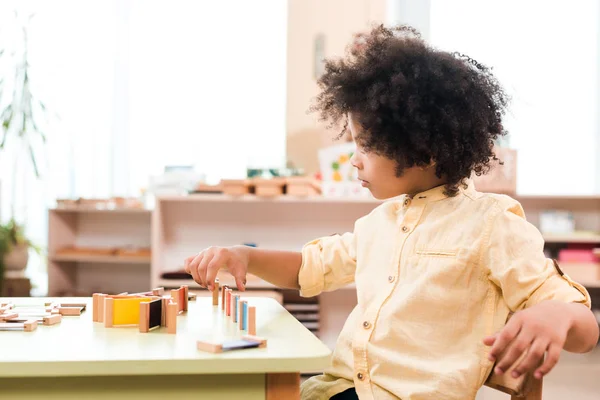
(83, 274)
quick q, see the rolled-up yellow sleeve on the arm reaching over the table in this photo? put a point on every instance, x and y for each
(328, 263)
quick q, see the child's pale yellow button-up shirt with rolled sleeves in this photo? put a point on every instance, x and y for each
(434, 275)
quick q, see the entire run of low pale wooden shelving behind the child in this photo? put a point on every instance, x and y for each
(180, 226)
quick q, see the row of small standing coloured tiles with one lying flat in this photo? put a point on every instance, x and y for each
(241, 314)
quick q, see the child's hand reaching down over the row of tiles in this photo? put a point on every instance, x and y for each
(205, 265)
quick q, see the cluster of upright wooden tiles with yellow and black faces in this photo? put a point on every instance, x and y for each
(148, 310)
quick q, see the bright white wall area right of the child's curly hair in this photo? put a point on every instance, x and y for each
(547, 56)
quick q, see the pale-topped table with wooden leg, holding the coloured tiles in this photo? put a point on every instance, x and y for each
(79, 358)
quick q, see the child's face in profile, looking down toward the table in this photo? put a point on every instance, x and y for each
(379, 174)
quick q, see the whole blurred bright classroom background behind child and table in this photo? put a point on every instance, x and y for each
(136, 132)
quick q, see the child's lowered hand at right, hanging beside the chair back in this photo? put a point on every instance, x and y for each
(536, 330)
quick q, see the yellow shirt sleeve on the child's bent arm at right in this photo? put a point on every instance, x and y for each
(519, 267)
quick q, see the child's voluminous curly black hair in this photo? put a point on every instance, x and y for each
(417, 104)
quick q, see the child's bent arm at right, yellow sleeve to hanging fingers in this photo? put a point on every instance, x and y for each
(552, 312)
